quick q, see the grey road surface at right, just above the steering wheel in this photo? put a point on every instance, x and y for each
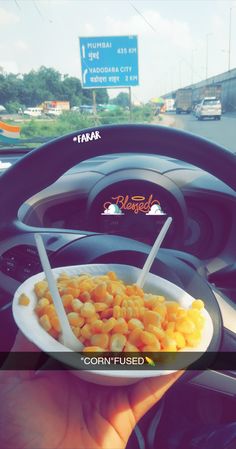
(222, 132)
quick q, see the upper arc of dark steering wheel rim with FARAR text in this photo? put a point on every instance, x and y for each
(44, 165)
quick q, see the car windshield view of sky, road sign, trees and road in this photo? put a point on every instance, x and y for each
(72, 64)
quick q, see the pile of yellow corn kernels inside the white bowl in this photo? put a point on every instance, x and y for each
(108, 314)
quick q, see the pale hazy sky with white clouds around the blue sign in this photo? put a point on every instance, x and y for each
(172, 37)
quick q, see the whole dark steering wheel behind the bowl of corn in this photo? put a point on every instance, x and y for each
(44, 165)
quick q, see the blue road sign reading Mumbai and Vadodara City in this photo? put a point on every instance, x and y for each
(109, 61)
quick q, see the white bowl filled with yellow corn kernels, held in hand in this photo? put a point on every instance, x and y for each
(108, 312)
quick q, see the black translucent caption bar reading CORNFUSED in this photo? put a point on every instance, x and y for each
(106, 361)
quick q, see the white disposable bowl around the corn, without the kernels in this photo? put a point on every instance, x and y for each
(27, 321)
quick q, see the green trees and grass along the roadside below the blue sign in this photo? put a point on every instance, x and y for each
(19, 91)
